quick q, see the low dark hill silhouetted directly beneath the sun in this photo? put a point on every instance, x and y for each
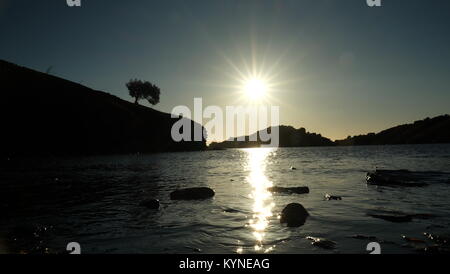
(289, 137)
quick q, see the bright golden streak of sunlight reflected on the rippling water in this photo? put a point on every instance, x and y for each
(262, 199)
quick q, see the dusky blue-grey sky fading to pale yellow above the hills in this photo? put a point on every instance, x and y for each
(338, 68)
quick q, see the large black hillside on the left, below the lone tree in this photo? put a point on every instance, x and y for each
(46, 115)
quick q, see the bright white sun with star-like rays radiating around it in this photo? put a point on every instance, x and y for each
(254, 76)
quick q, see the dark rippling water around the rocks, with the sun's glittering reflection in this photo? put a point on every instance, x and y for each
(47, 203)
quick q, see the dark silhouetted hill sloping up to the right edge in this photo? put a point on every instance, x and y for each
(427, 131)
